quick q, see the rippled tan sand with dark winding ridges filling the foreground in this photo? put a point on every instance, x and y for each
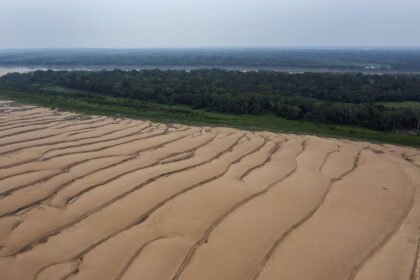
(111, 198)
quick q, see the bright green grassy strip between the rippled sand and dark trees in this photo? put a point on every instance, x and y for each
(96, 104)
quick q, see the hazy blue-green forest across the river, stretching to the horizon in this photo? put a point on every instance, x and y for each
(376, 60)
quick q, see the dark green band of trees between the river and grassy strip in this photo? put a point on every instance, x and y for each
(350, 99)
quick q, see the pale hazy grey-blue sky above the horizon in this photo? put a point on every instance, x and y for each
(208, 23)
